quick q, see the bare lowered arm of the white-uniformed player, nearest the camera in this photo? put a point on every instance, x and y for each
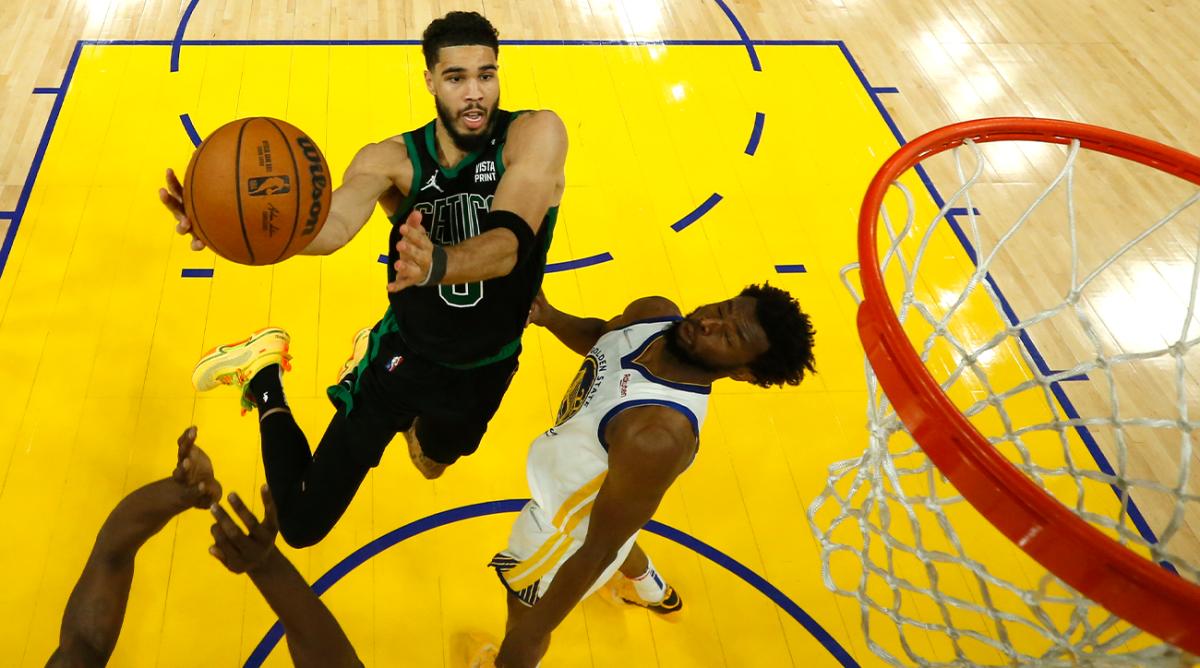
(649, 448)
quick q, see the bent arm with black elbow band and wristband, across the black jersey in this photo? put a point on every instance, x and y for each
(533, 182)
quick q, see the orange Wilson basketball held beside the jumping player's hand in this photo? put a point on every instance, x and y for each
(257, 191)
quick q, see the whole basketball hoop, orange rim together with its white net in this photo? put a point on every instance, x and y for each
(1101, 569)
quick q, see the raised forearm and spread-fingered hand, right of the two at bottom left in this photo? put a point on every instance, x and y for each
(314, 636)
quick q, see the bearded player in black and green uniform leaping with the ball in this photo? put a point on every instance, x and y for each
(473, 197)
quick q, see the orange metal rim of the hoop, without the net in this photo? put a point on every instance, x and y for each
(1109, 574)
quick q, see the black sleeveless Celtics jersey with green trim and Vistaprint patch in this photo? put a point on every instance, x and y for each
(476, 323)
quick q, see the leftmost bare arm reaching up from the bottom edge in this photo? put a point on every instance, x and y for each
(95, 611)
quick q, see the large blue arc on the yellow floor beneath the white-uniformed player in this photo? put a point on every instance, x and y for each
(435, 521)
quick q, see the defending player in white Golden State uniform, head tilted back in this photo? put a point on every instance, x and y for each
(628, 426)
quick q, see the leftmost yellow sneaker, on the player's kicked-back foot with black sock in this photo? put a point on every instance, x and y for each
(236, 364)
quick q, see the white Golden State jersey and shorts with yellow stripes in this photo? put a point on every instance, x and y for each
(569, 462)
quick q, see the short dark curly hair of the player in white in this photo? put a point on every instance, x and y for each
(790, 335)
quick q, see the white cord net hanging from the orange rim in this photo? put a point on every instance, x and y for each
(1087, 381)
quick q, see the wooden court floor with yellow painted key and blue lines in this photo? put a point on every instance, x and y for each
(713, 146)
